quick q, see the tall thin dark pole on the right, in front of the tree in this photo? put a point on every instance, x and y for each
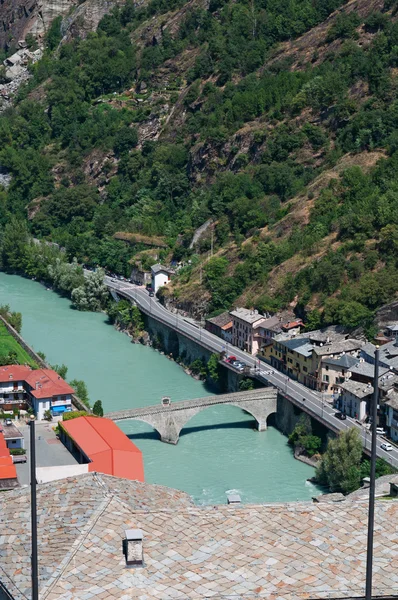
(371, 511)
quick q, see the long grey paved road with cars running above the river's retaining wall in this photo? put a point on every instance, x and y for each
(309, 400)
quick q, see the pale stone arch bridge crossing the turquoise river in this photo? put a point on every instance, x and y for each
(169, 419)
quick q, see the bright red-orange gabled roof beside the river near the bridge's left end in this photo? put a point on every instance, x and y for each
(106, 446)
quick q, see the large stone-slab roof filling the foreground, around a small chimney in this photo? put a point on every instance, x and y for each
(284, 551)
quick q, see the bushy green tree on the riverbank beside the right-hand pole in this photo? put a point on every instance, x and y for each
(340, 465)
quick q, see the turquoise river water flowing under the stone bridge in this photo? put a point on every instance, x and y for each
(218, 451)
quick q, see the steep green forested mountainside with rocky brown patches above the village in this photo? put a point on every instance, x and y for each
(277, 120)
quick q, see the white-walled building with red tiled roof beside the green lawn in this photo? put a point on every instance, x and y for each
(43, 389)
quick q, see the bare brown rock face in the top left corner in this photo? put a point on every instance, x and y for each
(20, 17)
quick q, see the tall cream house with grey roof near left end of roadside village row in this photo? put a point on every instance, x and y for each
(246, 333)
